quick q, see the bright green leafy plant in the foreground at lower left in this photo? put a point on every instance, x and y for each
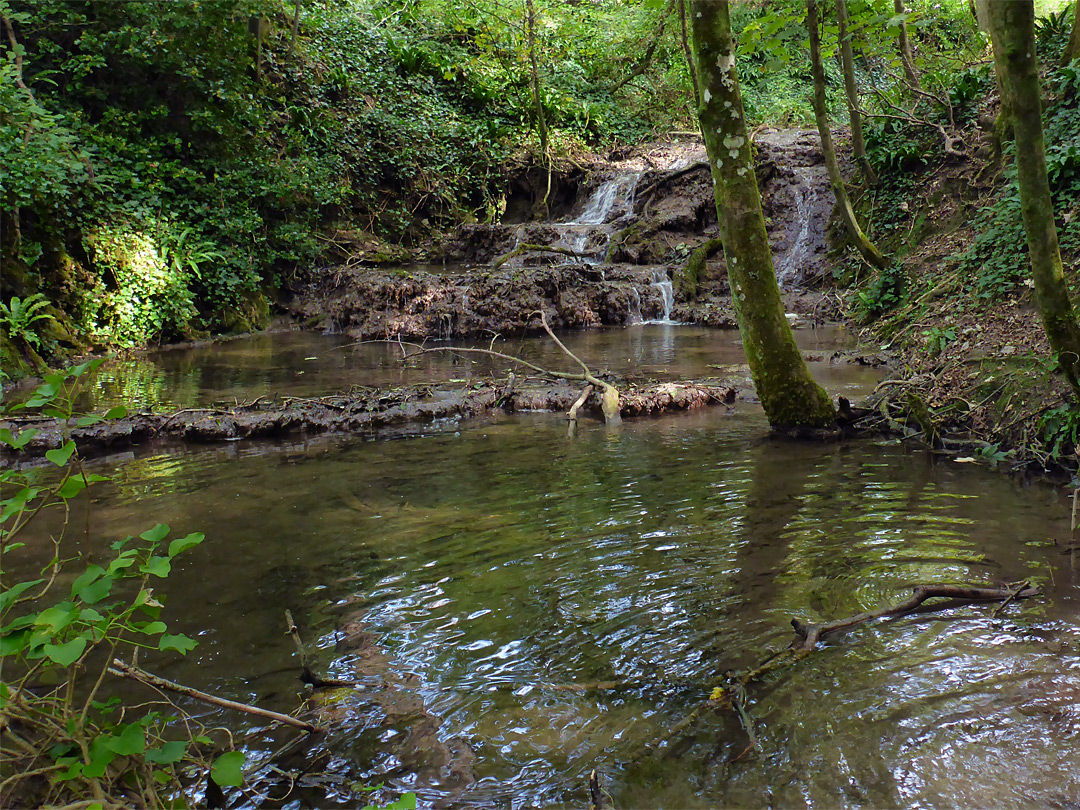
(61, 632)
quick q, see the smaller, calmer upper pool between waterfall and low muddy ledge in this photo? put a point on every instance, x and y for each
(308, 364)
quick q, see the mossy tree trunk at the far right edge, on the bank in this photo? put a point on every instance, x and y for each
(1012, 29)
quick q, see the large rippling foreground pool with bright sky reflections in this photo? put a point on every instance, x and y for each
(498, 560)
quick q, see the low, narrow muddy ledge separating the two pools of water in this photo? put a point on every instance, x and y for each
(358, 412)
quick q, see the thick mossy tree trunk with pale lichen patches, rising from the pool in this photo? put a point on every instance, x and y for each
(789, 395)
